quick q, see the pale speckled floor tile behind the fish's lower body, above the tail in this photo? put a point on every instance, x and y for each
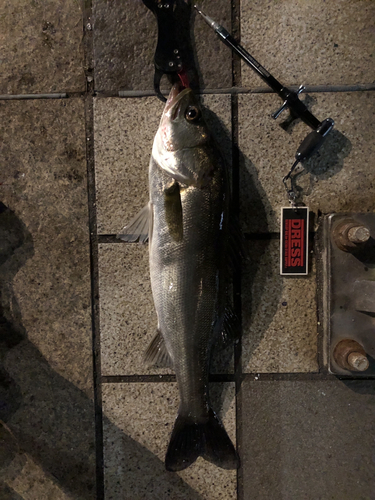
(128, 320)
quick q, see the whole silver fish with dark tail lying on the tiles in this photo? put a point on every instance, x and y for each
(187, 224)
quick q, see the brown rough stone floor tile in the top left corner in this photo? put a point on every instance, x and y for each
(41, 47)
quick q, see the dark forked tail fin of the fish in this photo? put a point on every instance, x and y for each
(189, 440)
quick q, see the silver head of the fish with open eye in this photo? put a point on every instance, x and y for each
(181, 142)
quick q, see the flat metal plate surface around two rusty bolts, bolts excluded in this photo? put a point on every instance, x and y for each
(348, 293)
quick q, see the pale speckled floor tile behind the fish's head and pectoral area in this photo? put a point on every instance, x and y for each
(124, 133)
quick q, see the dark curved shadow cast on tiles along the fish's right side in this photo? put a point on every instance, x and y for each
(253, 270)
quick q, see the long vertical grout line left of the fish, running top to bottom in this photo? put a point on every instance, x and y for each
(94, 269)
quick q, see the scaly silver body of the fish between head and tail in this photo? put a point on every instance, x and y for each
(186, 278)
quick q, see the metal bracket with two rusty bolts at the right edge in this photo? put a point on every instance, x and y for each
(348, 293)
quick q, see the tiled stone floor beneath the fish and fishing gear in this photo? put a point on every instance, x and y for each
(80, 415)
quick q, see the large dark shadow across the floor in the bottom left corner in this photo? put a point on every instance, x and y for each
(43, 417)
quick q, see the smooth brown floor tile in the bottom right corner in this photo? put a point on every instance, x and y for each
(311, 440)
